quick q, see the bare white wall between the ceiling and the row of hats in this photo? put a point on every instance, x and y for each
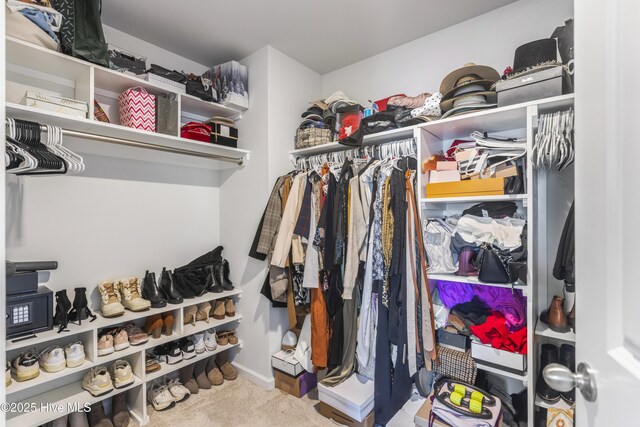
(419, 66)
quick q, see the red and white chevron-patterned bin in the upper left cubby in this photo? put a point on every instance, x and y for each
(138, 109)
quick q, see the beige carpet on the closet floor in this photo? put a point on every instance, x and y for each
(240, 403)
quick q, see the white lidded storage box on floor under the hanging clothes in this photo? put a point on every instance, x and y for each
(354, 397)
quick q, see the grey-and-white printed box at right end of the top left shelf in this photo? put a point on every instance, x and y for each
(231, 84)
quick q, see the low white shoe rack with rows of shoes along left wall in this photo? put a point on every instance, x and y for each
(51, 395)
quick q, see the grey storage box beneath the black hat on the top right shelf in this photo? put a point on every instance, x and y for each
(541, 84)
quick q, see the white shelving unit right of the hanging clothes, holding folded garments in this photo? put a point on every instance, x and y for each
(518, 120)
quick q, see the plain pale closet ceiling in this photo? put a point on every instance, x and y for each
(324, 35)
